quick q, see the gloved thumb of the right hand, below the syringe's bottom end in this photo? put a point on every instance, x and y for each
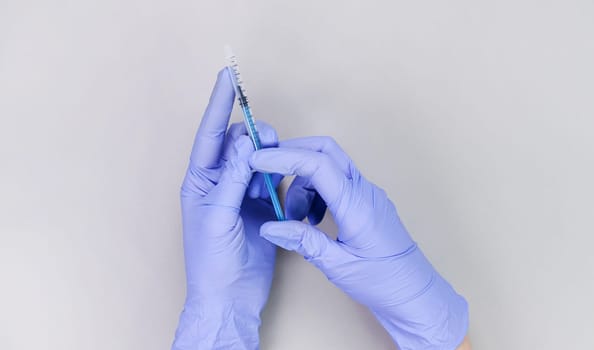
(313, 244)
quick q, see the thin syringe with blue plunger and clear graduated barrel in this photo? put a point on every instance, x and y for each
(251, 125)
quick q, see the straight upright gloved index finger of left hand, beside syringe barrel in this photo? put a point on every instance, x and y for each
(208, 143)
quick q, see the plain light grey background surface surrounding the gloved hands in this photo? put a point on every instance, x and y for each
(476, 117)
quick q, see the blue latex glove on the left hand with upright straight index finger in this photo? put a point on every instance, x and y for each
(229, 267)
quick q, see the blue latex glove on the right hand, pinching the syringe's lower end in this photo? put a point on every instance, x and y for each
(374, 260)
